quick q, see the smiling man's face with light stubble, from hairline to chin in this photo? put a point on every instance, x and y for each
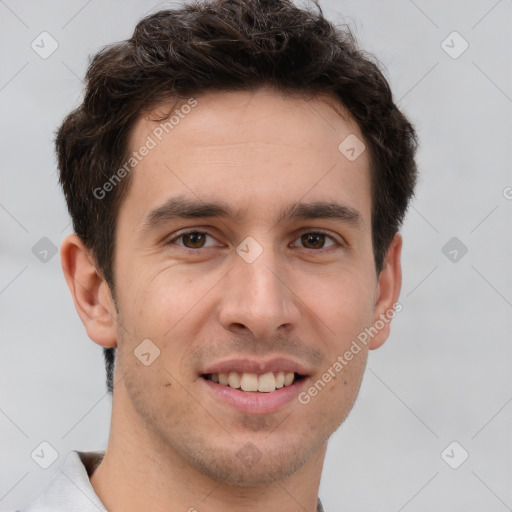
(261, 293)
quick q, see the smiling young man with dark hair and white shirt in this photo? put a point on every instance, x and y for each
(237, 175)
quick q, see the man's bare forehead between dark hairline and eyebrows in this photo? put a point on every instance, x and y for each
(256, 150)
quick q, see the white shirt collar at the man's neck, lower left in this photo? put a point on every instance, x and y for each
(70, 490)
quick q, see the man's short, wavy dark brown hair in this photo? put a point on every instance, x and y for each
(226, 45)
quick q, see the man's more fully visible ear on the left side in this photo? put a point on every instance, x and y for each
(91, 294)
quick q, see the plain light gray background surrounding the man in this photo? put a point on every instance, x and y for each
(443, 376)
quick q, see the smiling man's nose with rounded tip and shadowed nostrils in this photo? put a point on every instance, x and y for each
(258, 298)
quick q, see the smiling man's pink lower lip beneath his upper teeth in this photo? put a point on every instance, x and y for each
(254, 402)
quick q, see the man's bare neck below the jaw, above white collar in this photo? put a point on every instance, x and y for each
(137, 472)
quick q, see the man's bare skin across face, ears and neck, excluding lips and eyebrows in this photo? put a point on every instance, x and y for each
(173, 444)
